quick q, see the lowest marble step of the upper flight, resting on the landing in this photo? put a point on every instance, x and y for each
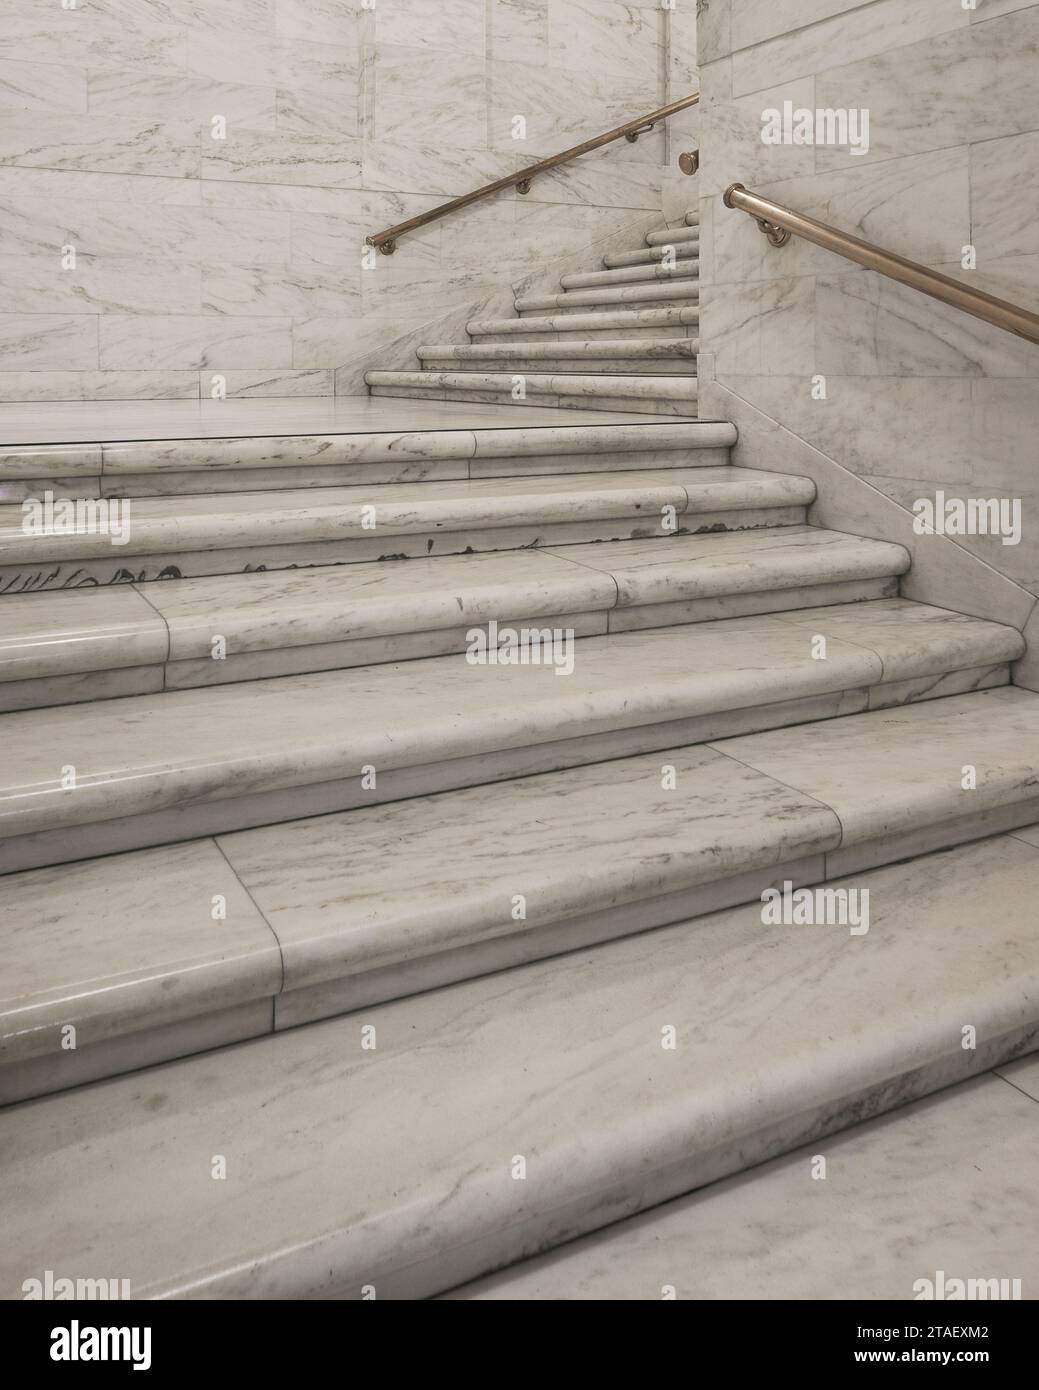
(666, 394)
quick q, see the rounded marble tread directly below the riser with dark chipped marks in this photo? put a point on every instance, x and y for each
(65, 632)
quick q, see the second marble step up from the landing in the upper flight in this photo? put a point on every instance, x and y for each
(670, 357)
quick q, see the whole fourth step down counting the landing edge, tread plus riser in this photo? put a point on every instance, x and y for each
(119, 775)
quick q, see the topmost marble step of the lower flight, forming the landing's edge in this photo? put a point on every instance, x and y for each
(156, 468)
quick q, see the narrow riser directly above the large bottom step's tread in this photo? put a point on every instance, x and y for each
(124, 1042)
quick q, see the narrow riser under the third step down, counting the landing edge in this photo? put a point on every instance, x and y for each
(250, 660)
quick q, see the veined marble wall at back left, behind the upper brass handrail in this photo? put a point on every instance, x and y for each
(241, 256)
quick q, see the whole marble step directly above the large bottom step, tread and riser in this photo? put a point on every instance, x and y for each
(168, 951)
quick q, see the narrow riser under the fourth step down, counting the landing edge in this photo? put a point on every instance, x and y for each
(193, 812)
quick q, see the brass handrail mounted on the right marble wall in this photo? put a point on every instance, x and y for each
(778, 223)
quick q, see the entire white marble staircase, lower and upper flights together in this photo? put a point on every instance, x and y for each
(453, 960)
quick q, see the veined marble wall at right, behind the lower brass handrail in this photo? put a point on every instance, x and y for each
(920, 398)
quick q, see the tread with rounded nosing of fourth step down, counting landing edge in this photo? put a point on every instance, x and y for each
(152, 753)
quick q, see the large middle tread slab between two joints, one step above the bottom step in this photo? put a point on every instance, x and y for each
(557, 840)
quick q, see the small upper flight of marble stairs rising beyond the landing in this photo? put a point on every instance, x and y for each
(624, 337)
